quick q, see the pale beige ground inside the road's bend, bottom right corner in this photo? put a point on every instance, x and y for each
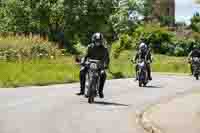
(183, 111)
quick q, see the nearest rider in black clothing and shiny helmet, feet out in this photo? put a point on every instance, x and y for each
(97, 51)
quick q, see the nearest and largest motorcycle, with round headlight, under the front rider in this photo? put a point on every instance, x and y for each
(92, 79)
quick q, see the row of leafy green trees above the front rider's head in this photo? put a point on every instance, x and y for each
(74, 20)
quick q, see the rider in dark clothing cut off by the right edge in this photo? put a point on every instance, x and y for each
(194, 53)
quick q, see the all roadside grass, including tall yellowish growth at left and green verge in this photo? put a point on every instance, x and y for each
(62, 69)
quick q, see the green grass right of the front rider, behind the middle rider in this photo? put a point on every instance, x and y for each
(122, 67)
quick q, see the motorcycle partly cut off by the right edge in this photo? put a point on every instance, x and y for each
(196, 67)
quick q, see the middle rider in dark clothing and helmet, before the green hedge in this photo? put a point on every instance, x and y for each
(144, 54)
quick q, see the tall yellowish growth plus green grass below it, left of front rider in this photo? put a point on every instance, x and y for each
(28, 61)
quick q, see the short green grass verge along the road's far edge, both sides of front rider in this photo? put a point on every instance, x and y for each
(64, 69)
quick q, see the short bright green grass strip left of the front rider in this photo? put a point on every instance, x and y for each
(38, 72)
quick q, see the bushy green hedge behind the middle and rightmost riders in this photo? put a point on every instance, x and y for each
(160, 39)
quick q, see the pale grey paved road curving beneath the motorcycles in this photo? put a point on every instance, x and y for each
(56, 109)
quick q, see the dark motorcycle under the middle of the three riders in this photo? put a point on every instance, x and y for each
(142, 73)
